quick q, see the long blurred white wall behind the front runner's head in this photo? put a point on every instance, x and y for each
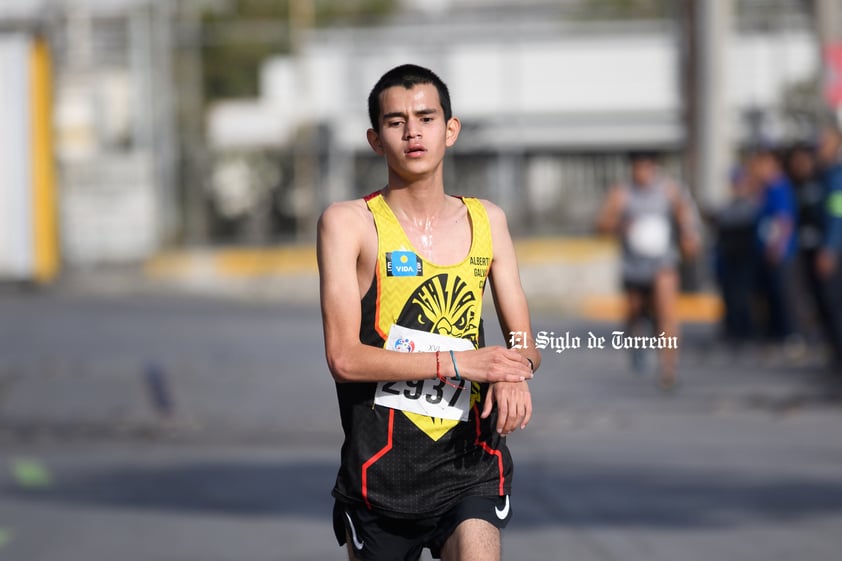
(573, 84)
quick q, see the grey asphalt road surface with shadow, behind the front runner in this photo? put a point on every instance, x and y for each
(162, 428)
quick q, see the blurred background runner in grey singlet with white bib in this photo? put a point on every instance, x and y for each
(643, 213)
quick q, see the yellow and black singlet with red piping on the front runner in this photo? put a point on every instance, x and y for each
(404, 464)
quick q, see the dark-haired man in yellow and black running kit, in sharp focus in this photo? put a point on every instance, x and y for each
(425, 406)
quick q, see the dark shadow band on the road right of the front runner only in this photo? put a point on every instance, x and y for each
(598, 497)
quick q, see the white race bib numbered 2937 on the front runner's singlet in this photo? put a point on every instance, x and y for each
(435, 398)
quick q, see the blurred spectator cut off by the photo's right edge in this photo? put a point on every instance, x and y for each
(827, 267)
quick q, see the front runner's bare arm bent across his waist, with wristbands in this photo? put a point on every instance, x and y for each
(342, 232)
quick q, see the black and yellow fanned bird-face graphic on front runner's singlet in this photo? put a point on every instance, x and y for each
(445, 305)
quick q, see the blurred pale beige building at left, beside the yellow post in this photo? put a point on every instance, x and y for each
(116, 150)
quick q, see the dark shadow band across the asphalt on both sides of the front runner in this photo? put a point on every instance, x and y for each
(545, 496)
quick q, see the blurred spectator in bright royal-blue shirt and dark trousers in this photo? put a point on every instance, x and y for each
(777, 244)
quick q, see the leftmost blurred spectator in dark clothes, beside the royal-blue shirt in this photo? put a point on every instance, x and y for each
(736, 257)
